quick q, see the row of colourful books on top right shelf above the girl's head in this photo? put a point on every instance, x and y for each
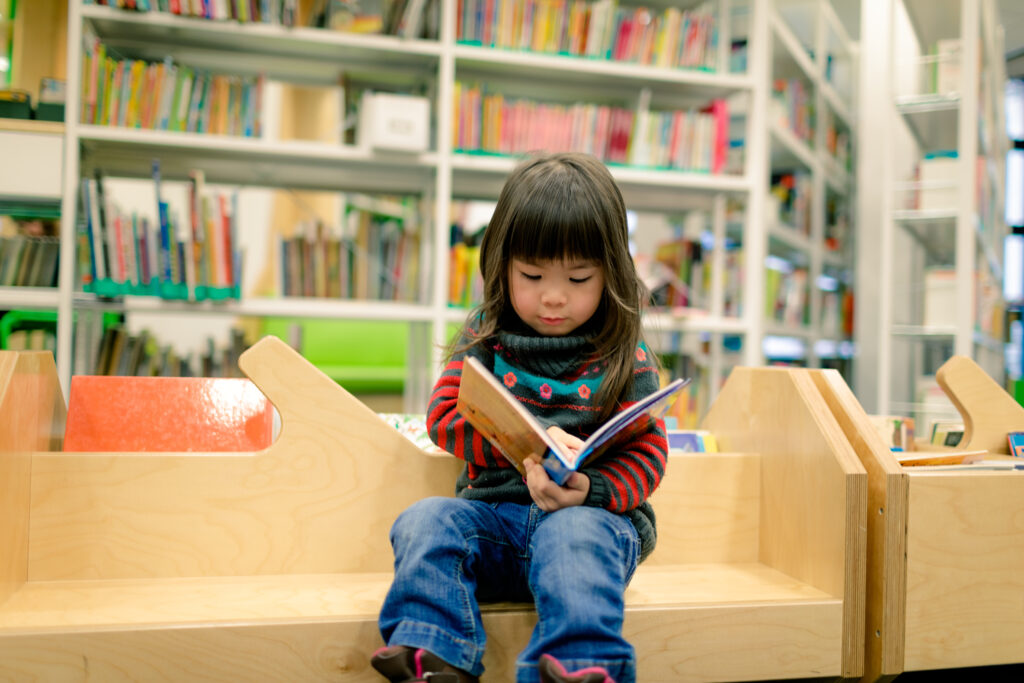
(601, 30)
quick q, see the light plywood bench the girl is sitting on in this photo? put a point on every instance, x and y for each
(274, 565)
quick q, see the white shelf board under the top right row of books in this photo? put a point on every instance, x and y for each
(591, 72)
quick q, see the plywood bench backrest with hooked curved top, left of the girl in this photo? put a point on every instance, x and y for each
(321, 499)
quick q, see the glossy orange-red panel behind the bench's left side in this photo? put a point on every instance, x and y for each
(166, 414)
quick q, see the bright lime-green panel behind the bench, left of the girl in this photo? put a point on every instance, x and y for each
(364, 357)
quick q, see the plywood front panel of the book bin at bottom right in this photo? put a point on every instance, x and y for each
(965, 584)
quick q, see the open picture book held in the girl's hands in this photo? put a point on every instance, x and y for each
(518, 435)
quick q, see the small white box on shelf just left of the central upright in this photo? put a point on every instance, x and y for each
(394, 122)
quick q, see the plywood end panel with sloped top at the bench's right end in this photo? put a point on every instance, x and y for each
(815, 490)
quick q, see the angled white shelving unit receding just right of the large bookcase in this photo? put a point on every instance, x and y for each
(810, 46)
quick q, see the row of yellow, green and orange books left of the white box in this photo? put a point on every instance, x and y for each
(164, 96)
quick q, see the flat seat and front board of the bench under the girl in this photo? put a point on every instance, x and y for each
(740, 623)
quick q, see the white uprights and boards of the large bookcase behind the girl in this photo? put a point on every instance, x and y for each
(444, 173)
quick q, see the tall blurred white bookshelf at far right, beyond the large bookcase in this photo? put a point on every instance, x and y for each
(937, 202)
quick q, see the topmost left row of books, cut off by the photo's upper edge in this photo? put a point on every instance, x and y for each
(410, 19)
